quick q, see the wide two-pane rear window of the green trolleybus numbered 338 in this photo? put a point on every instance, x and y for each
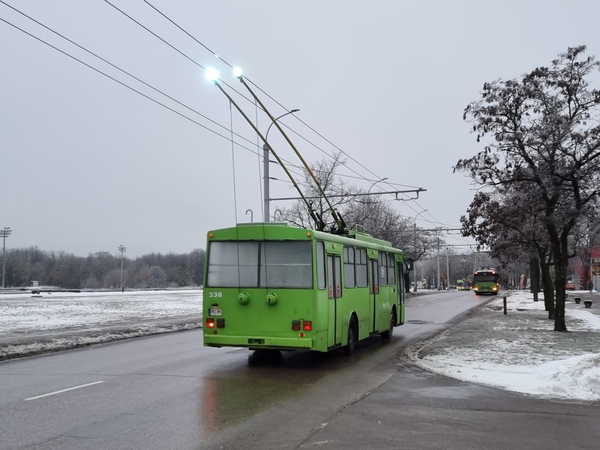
(269, 264)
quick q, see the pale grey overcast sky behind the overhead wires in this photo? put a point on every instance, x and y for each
(88, 164)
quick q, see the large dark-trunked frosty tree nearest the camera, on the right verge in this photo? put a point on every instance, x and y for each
(541, 134)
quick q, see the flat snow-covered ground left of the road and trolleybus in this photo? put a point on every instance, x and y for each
(32, 324)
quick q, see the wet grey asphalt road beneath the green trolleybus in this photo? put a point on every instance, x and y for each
(169, 392)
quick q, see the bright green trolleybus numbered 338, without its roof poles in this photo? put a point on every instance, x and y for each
(273, 286)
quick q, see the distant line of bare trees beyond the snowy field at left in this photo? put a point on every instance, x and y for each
(102, 270)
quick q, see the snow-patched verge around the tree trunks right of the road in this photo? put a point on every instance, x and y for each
(520, 351)
